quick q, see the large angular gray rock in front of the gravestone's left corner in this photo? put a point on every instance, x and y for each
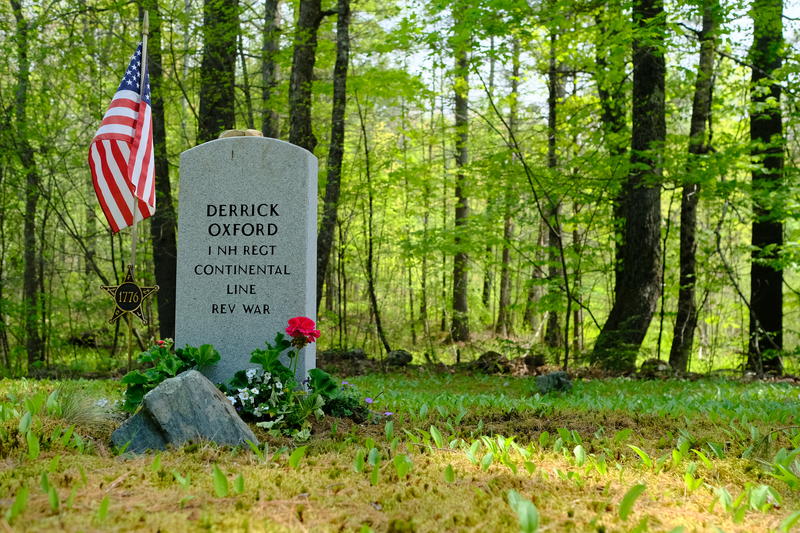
(186, 408)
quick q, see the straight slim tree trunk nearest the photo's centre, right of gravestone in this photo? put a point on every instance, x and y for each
(459, 325)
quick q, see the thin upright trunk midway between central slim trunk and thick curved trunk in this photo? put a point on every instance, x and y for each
(553, 336)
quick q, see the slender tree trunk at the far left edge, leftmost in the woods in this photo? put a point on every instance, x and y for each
(31, 297)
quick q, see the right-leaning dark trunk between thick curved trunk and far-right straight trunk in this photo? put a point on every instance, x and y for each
(686, 317)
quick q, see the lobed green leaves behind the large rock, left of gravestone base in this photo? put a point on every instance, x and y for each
(164, 363)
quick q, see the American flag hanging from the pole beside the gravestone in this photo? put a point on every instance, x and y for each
(121, 153)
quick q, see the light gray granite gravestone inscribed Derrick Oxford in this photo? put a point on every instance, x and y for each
(247, 245)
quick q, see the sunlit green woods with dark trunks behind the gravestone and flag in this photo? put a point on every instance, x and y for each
(593, 181)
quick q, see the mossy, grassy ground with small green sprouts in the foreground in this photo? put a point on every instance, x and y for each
(457, 453)
